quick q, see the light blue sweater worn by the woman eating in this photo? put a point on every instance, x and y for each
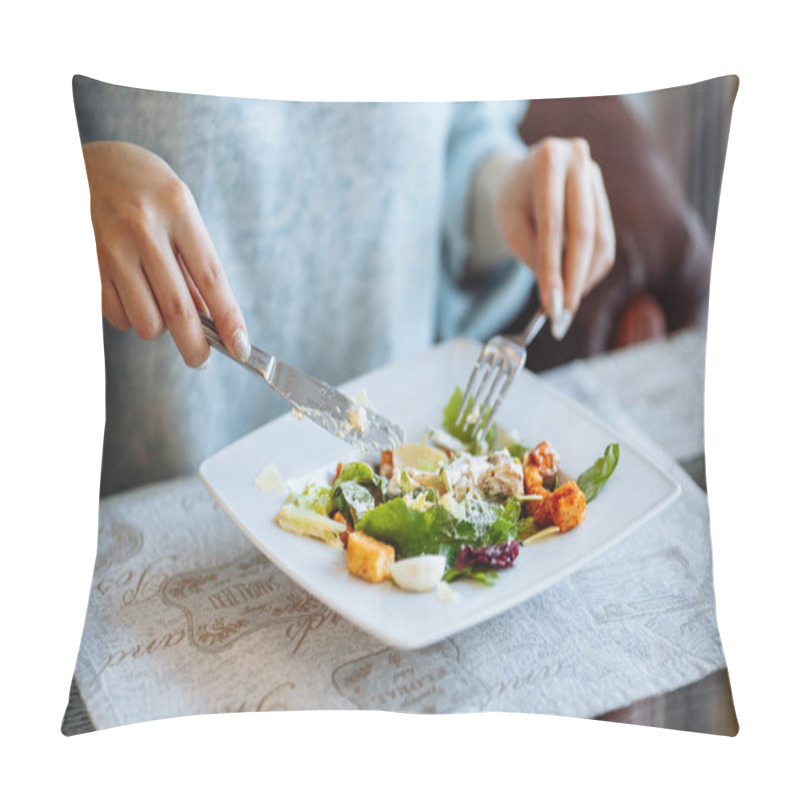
(343, 230)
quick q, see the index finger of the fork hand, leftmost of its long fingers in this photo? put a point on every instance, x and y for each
(548, 213)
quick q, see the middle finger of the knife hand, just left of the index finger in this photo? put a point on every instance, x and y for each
(174, 300)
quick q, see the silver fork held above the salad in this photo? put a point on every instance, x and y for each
(500, 361)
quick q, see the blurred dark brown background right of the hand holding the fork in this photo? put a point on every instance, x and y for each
(662, 155)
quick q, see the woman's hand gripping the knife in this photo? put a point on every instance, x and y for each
(158, 266)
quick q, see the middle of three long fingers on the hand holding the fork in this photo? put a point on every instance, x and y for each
(580, 227)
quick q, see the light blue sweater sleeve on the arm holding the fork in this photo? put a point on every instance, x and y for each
(477, 303)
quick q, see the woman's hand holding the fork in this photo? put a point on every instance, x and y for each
(553, 211)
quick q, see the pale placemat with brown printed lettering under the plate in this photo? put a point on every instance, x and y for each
(186, 617)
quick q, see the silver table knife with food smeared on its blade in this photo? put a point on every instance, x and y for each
(329, 408)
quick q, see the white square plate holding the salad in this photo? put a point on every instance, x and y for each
(413, 394)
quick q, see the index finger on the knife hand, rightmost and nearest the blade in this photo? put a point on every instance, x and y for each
(191, 239)
